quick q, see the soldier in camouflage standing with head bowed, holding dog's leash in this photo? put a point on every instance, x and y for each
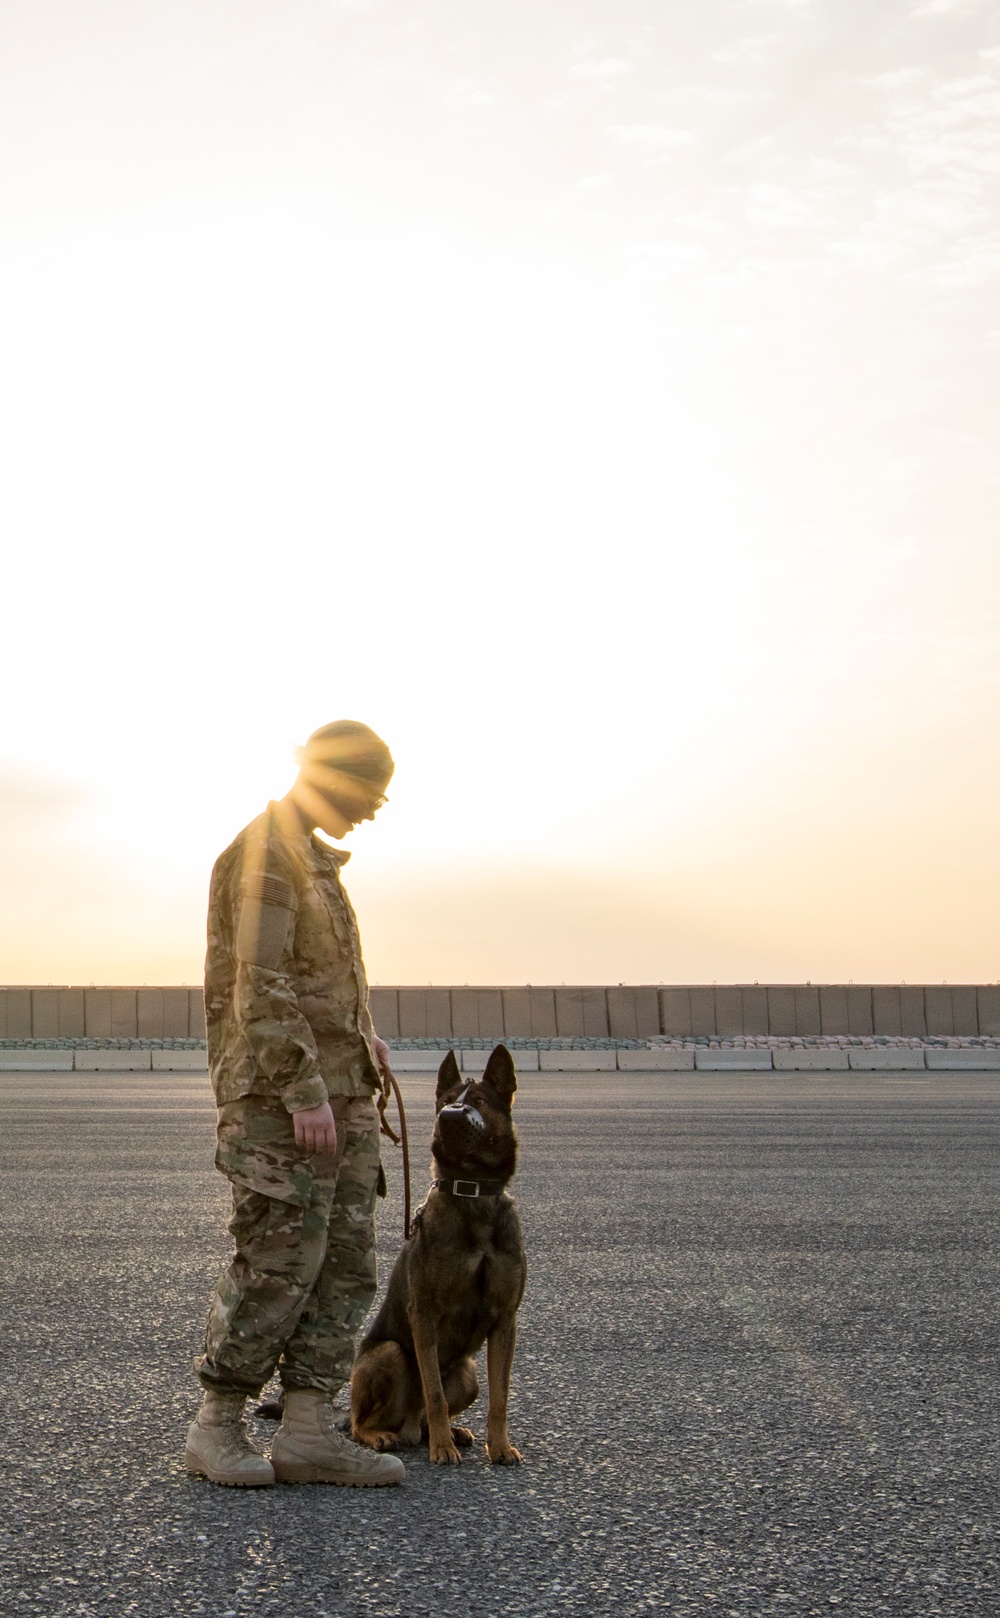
(295, 1067)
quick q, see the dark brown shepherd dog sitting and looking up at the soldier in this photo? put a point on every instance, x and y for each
(457, 1284)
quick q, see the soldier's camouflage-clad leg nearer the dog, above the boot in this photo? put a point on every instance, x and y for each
(321, 1350)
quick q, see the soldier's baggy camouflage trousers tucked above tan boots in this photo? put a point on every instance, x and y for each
(303, 1277)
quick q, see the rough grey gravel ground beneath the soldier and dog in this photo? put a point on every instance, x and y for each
(756, 1374)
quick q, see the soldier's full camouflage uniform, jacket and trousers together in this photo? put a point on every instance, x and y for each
(289, 1028)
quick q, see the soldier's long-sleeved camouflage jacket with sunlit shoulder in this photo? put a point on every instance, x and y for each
(286, 988)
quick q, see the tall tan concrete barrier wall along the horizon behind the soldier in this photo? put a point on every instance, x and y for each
(612, 1012)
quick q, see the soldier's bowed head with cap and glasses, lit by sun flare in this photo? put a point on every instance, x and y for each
(344, 773)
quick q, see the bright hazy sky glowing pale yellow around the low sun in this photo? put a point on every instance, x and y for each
(596, 397)
